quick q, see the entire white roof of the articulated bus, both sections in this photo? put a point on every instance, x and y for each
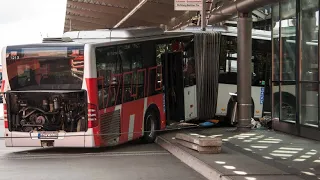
(136, 34)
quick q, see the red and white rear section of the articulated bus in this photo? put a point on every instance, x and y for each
(97, 88)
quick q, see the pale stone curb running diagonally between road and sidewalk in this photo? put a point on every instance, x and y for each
(193, 162)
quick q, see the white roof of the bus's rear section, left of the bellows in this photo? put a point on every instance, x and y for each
(107, 36)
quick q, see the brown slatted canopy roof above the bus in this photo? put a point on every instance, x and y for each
(104, 14)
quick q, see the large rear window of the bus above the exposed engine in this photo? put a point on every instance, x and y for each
(45, 68)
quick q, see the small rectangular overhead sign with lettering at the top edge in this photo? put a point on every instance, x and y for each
(187, 5)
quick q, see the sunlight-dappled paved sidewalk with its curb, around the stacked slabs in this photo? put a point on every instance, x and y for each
(256, 155)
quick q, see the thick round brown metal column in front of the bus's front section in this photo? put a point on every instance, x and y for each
(244, 49)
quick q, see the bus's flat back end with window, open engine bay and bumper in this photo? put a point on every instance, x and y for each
(44, 98)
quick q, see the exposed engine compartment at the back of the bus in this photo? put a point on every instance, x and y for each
(47, 111)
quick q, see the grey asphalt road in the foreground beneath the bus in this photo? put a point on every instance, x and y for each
(131, 161)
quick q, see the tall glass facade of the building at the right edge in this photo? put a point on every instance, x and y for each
(295, 63)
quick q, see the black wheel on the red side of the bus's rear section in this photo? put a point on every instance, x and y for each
(150, 127)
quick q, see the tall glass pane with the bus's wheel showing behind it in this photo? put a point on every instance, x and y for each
(286, 108)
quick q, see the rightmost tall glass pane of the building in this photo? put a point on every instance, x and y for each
(309, 76)
